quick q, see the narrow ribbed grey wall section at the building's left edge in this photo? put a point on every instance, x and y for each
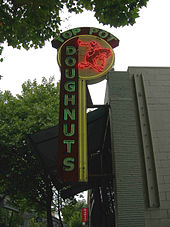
(129, 199)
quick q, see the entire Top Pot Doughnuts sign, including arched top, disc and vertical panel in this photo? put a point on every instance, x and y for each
(85, 55)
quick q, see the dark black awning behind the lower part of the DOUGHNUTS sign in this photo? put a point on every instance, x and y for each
(44, 143)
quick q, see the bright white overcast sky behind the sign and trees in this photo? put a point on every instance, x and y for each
(144, 44)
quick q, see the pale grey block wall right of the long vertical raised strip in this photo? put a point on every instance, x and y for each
(156, 82)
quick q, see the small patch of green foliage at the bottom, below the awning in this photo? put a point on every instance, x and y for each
(72, 213)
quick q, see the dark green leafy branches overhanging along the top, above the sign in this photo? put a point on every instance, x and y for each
(29, 23)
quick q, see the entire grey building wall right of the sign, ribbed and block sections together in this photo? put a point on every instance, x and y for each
(140, 127)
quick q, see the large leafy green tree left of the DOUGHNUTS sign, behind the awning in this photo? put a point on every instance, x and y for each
(21, 175)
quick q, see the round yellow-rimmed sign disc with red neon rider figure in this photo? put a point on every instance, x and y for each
(95, 57)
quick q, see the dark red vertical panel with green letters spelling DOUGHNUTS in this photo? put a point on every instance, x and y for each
(68, 144)
